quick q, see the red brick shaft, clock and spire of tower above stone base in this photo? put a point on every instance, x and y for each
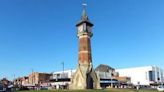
(84, 34)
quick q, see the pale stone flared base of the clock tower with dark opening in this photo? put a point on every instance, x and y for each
(85, 78)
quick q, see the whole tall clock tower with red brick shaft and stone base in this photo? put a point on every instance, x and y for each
(85, 76)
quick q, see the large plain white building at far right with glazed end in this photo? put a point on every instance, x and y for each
(143, 75)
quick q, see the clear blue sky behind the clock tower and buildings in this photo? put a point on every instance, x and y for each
(40, 34)
